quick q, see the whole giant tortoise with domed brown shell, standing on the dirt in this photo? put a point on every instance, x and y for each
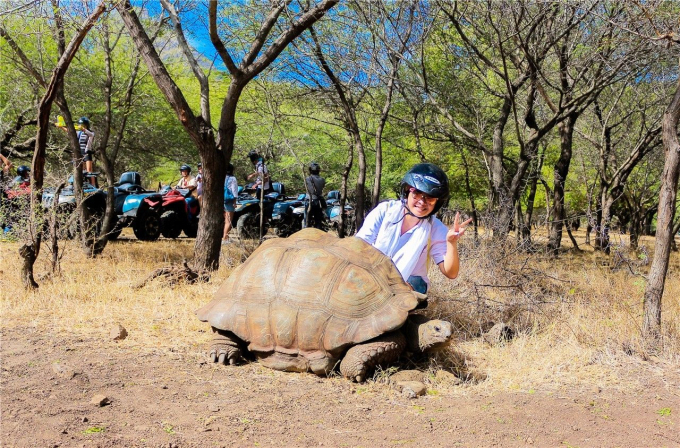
(306, 302)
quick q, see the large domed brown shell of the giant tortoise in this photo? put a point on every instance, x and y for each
(311, 294)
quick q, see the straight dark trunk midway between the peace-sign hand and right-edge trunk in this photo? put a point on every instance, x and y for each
(560, 173)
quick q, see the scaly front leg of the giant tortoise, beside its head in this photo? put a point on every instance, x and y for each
(363, 358)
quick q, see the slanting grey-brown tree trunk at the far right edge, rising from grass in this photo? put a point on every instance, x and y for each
(664, 222)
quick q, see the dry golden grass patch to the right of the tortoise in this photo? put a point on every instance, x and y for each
(578, 317)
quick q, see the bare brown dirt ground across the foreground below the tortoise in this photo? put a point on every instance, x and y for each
(175, 398)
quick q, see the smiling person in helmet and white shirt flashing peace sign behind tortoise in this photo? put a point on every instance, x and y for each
(407, 230)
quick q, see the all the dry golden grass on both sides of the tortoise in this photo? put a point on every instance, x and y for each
(578, 320)
